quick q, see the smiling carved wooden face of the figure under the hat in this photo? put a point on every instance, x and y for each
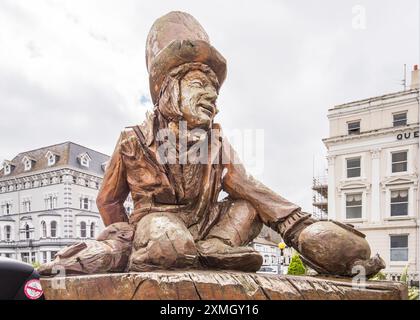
(198, 100)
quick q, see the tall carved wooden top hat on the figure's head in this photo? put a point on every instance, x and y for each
(175, 39)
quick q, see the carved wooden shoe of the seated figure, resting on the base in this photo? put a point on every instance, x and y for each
(215, 254)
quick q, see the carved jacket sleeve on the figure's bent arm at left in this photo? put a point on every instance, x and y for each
(114, 189)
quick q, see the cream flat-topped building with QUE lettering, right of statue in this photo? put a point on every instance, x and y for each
(373, 173)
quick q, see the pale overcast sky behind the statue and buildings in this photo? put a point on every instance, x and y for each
(75, 71)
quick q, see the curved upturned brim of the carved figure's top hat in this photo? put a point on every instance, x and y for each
(179, 52)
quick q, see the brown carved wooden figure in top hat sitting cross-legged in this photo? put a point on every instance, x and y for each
(178, 222)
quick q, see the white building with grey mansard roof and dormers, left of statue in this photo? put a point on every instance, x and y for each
(48, 200)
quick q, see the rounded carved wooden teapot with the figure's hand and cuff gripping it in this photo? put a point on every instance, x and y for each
(330, 247)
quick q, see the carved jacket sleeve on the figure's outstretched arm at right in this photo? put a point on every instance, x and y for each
(271, 207)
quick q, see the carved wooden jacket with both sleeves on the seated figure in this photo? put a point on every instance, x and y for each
(133, 168)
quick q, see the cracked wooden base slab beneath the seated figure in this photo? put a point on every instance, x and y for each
(209, 285)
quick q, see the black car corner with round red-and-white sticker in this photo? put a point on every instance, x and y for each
(19, 281)
